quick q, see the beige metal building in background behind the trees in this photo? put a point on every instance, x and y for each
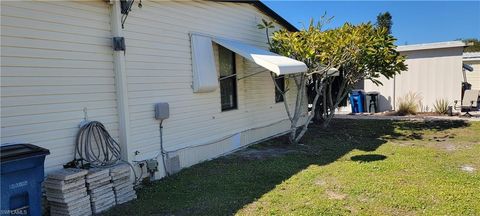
(434, 71)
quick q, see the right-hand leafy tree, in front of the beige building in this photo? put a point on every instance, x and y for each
(372, 54)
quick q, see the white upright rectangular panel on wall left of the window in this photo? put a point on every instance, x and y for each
(203, 64)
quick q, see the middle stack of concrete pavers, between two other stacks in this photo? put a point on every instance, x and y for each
(100, 189)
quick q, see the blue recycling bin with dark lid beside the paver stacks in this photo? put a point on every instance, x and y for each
(21, 178)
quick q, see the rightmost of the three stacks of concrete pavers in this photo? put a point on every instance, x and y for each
(122, 183)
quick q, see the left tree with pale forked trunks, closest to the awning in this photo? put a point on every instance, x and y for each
(309, 46)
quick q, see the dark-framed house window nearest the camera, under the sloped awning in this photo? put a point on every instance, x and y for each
(228, 79)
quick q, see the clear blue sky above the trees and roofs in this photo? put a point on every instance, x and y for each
(413, 21)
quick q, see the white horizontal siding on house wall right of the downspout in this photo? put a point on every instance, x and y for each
(159, 70)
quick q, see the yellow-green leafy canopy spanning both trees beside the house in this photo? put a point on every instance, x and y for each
(361, 51)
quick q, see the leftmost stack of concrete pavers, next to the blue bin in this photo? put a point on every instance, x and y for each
(67, 194)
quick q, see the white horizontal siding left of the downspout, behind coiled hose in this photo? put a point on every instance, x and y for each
(56, 60)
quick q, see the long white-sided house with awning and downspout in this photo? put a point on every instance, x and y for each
(57, 61)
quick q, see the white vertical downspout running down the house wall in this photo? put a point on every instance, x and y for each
(121, 84)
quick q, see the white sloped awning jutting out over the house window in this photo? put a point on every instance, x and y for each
(278, 64)
